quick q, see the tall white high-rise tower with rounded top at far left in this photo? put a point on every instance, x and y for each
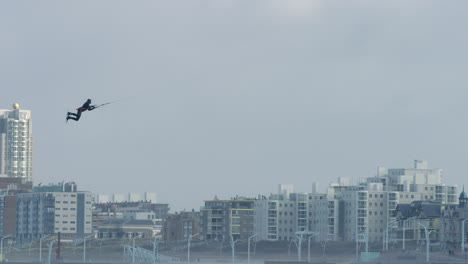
(16, 143)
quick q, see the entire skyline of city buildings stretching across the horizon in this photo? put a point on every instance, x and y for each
(395, 204)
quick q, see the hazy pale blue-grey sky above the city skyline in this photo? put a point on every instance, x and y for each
(228, 97)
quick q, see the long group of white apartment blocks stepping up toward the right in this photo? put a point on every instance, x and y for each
(348, 212)
